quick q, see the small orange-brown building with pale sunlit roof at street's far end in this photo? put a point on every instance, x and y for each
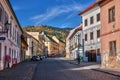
(61, 45)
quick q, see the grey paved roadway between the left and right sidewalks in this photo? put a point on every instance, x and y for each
(58, 69)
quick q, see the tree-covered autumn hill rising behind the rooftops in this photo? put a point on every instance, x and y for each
(60, 33)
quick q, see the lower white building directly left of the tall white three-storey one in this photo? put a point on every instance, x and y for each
(74, 42)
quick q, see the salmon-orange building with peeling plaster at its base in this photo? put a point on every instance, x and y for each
(110, 33)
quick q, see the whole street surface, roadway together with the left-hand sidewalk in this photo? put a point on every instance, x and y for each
(53, 69)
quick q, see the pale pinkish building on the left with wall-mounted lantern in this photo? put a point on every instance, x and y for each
(10, 36)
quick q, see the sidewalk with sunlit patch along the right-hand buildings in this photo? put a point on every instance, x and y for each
(95, 67)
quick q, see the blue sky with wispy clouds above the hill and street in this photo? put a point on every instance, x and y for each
(56, 13)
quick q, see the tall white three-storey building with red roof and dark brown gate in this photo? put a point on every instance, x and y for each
(91, 31)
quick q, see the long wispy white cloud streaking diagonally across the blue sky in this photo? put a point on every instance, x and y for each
(56, 11)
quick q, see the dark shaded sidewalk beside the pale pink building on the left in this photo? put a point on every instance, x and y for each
(22, 71)
